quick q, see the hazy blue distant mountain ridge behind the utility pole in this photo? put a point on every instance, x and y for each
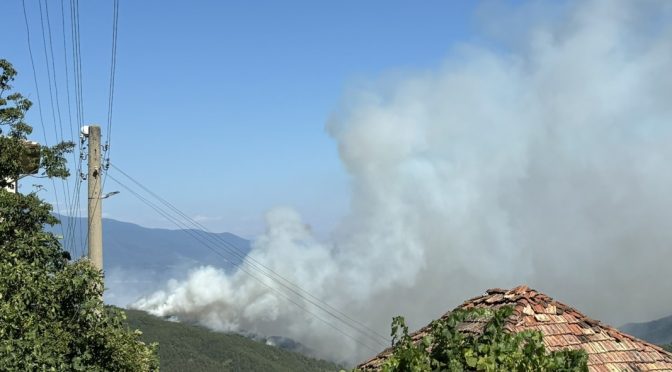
(140, 260)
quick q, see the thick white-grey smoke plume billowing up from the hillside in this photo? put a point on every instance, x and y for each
(546, 162)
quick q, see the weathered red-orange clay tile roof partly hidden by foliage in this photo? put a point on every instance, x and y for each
(563, 328)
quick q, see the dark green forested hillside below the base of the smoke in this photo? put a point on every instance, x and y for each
(184, 347)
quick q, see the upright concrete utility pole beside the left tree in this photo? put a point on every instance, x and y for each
(95, 236)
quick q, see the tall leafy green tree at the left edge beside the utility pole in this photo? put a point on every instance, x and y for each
(52, 316)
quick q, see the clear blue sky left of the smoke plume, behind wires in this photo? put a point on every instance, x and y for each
(220, 106)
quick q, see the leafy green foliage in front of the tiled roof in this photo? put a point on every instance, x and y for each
(446, 348)
